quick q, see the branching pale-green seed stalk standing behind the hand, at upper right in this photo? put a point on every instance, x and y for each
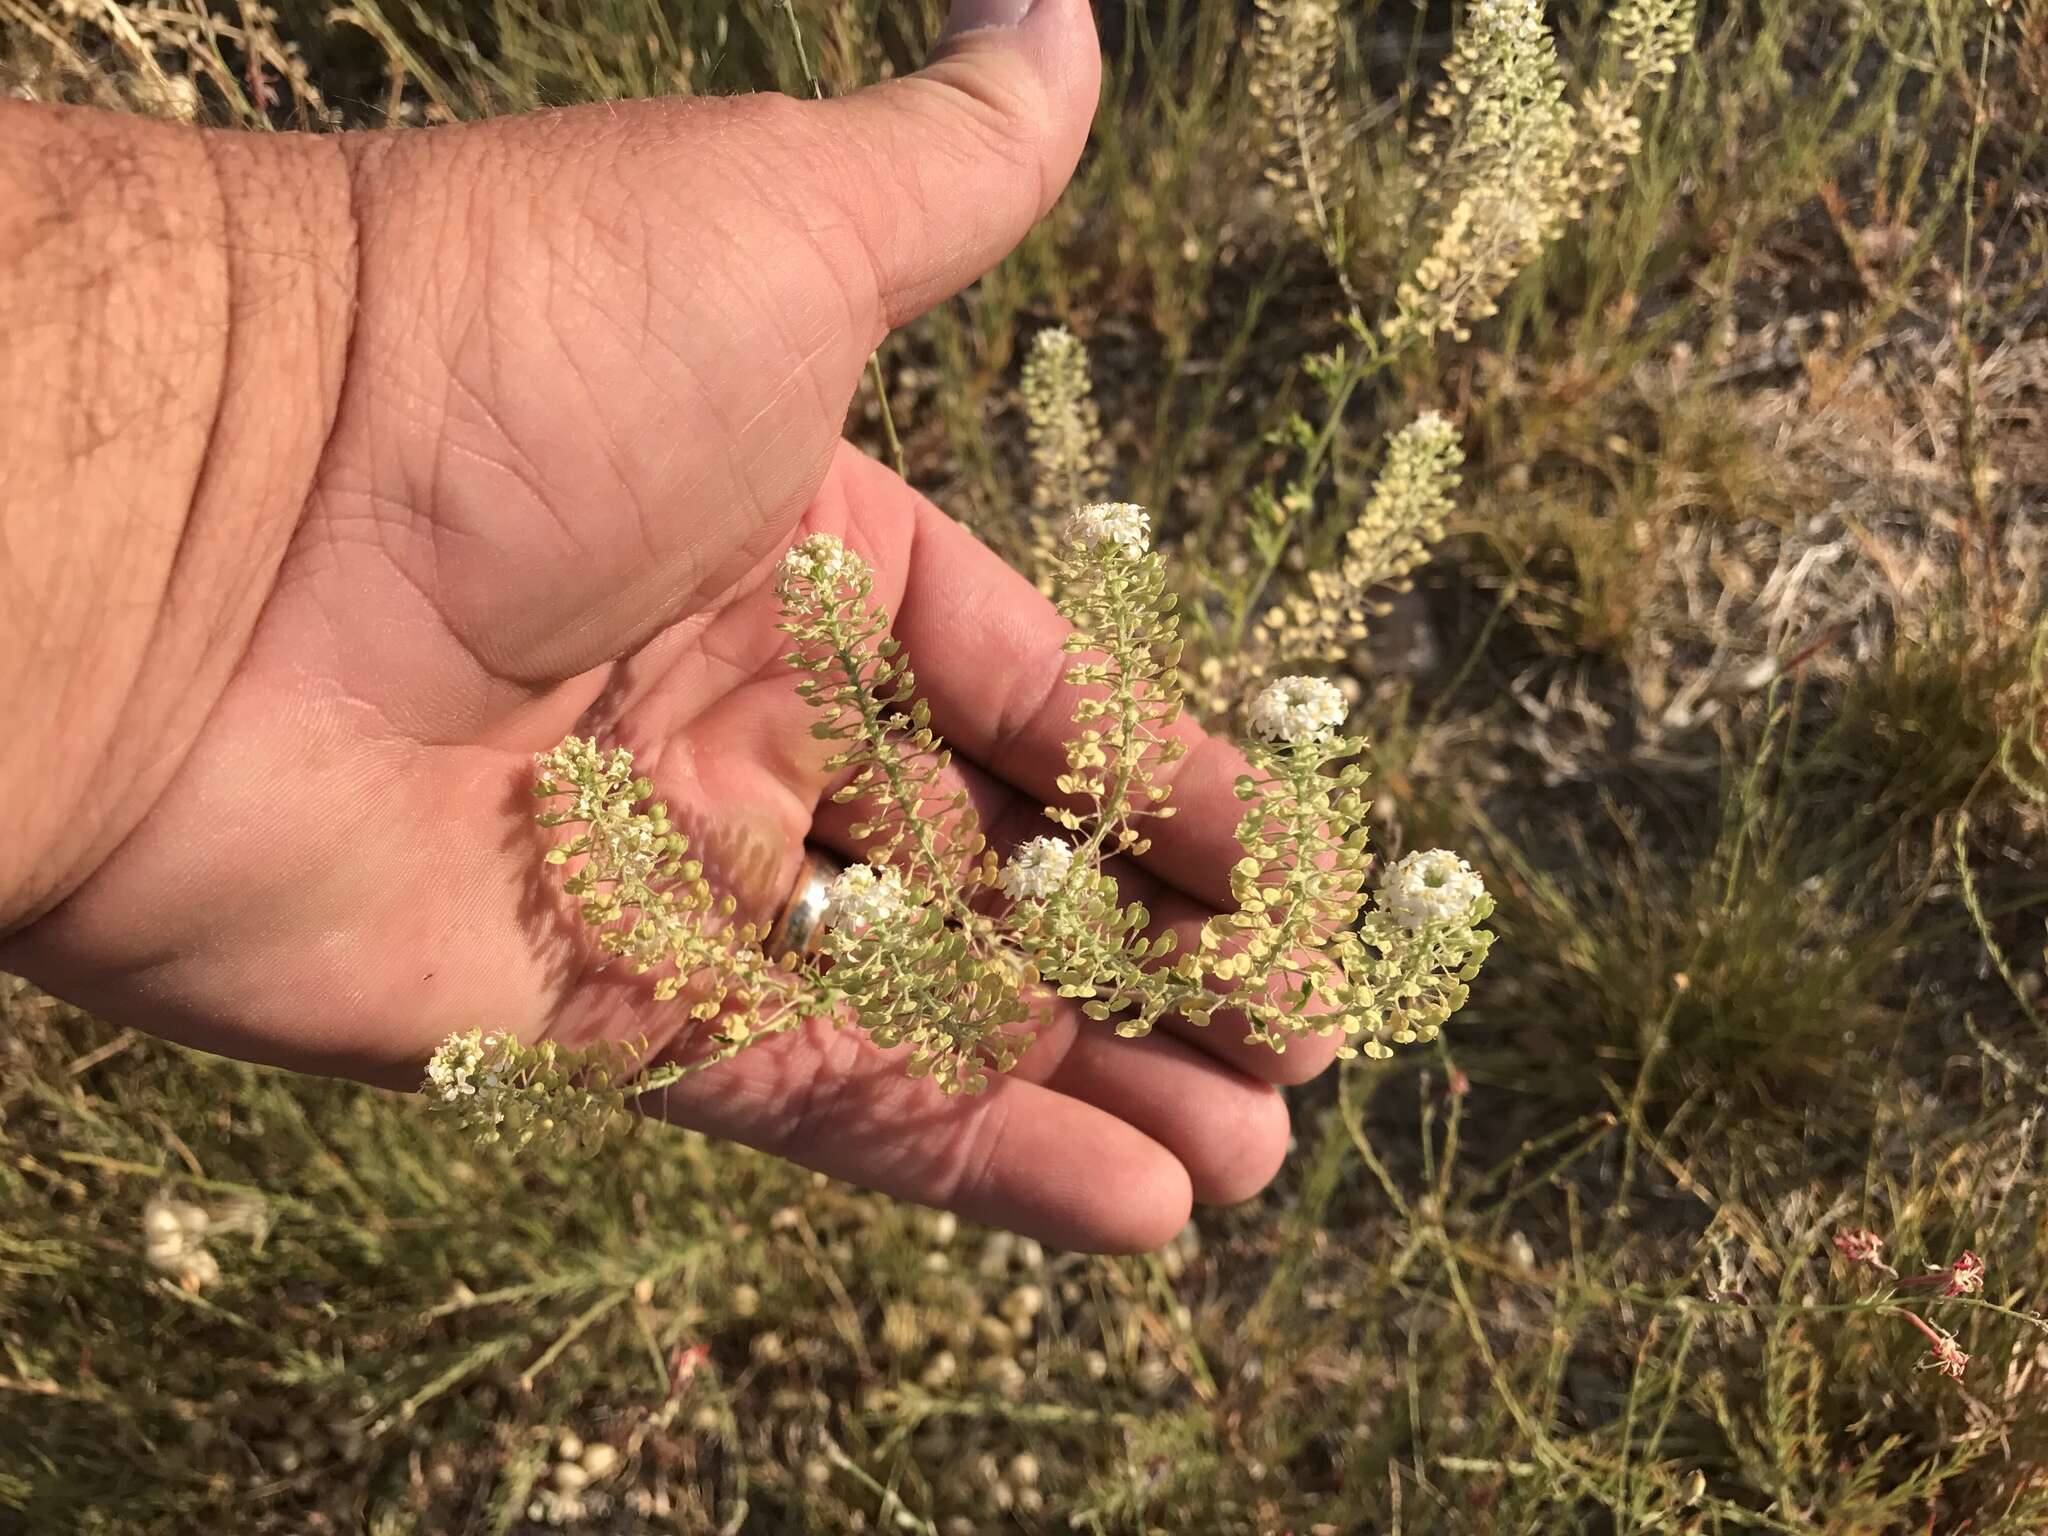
(1506, 159)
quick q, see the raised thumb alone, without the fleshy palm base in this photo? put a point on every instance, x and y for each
(943, 173)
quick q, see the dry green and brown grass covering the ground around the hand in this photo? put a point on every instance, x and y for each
(1574, 1271)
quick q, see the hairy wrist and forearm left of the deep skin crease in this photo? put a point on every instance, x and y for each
(177, 308)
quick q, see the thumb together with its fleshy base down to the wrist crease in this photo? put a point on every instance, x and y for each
(607, 353)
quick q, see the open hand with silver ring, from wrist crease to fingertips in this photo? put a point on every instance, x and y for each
(589, 390)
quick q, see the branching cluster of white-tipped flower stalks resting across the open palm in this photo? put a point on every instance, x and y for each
(941, 947)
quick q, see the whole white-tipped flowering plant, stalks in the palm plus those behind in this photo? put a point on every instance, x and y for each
(937, 943)
